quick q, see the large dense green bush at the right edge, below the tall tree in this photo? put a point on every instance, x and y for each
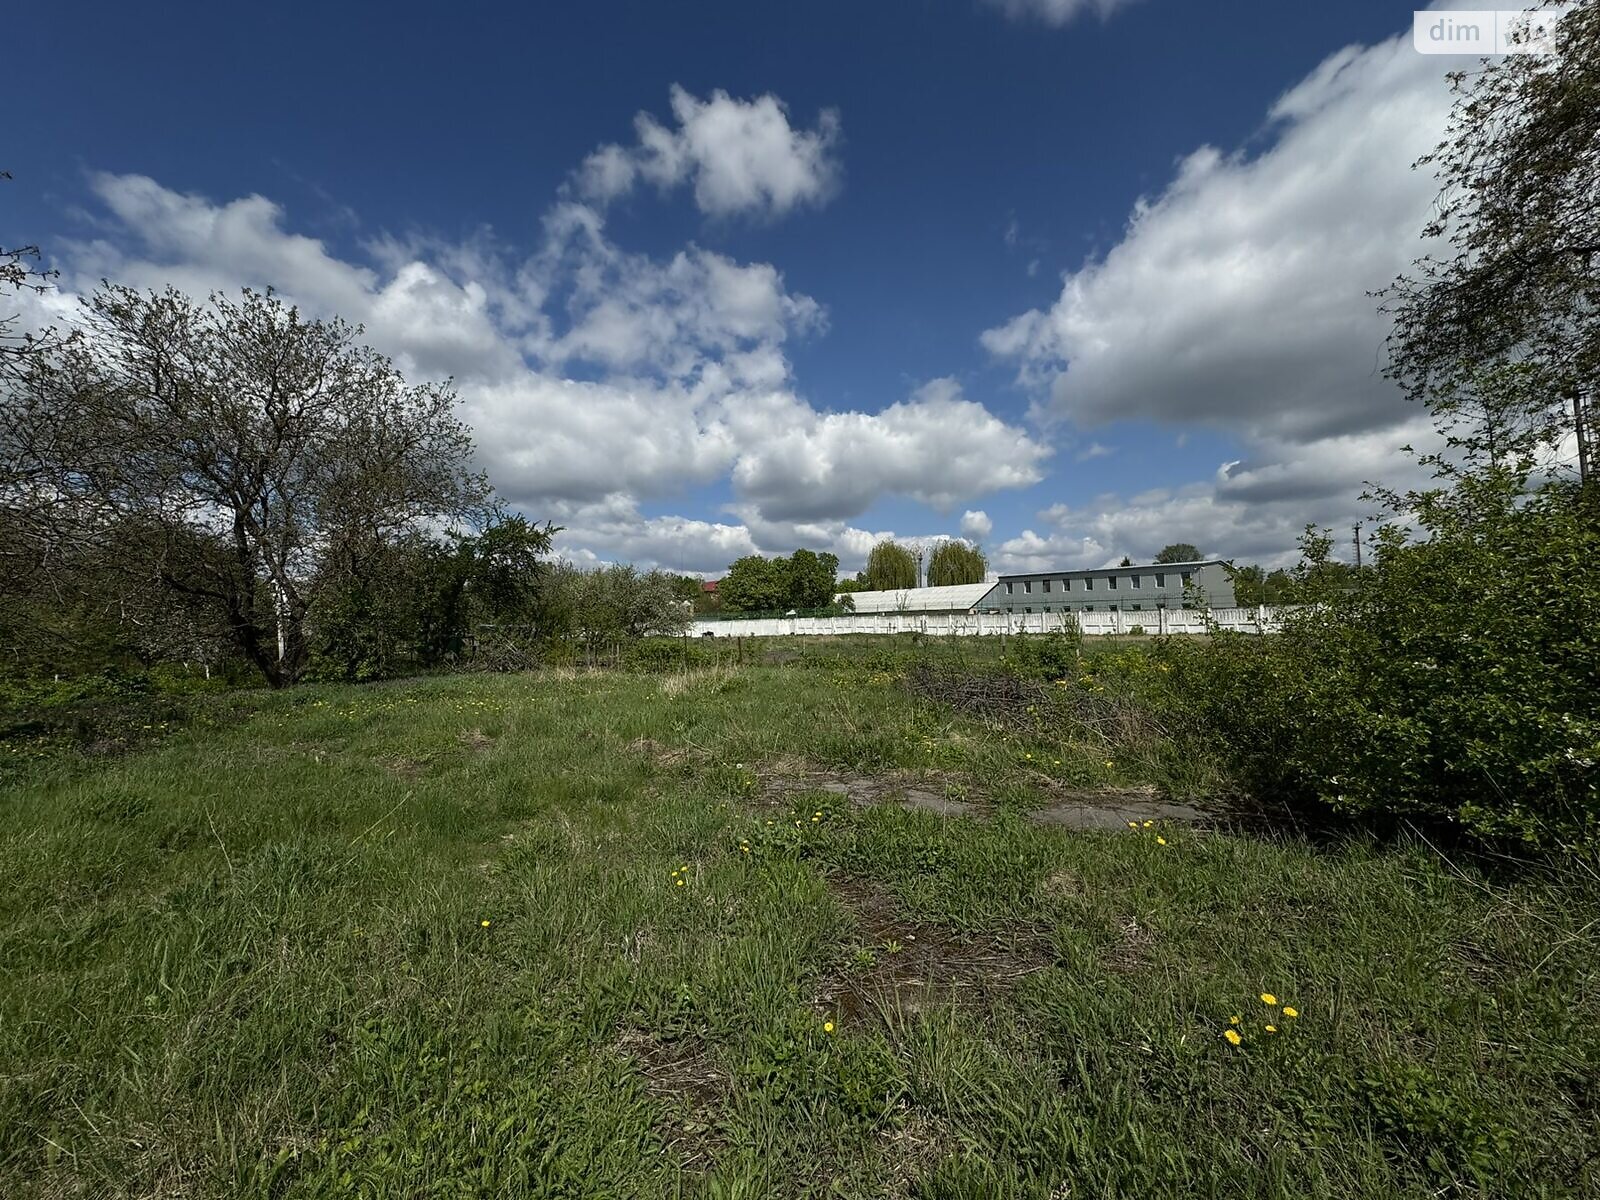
(1455, 684)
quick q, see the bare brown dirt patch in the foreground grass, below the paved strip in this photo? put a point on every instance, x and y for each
(903, 966)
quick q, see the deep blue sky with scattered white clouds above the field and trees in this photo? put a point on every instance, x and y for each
(1076, 279)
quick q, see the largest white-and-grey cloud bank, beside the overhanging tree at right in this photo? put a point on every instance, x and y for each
(1239, 298)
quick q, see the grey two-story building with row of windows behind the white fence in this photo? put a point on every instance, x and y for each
(1108, 590)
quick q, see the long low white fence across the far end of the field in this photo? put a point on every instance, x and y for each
(974, 625)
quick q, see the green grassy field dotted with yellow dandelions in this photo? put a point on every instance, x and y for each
(623, 935)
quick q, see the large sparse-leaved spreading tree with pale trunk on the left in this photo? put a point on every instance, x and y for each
(262, 465)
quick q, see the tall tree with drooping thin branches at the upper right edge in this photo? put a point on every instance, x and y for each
(1510, 314)
